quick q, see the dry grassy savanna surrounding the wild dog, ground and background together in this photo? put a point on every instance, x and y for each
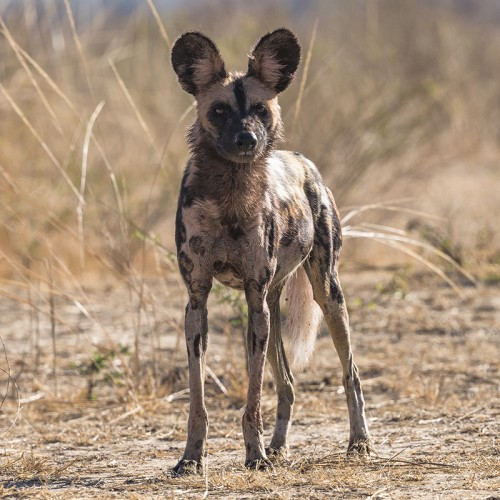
(396, 100)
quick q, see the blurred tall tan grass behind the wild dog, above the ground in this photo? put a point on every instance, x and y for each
(396, 101)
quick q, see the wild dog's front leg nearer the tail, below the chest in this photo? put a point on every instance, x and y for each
(257, 340)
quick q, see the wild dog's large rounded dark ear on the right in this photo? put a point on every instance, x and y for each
(275, 59)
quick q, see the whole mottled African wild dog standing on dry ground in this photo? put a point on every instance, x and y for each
(256, 218)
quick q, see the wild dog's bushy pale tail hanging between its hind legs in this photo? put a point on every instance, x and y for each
(302, 320)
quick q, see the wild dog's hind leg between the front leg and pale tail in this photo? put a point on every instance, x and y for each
(283, 380)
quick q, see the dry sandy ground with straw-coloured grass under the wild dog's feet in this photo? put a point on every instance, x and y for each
(429, 361)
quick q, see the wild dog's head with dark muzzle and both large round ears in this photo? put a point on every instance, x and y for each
(238, 117)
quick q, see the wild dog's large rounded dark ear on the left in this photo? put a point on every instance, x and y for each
(197, 62)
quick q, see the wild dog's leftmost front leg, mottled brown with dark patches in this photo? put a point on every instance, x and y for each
(196, 342)
